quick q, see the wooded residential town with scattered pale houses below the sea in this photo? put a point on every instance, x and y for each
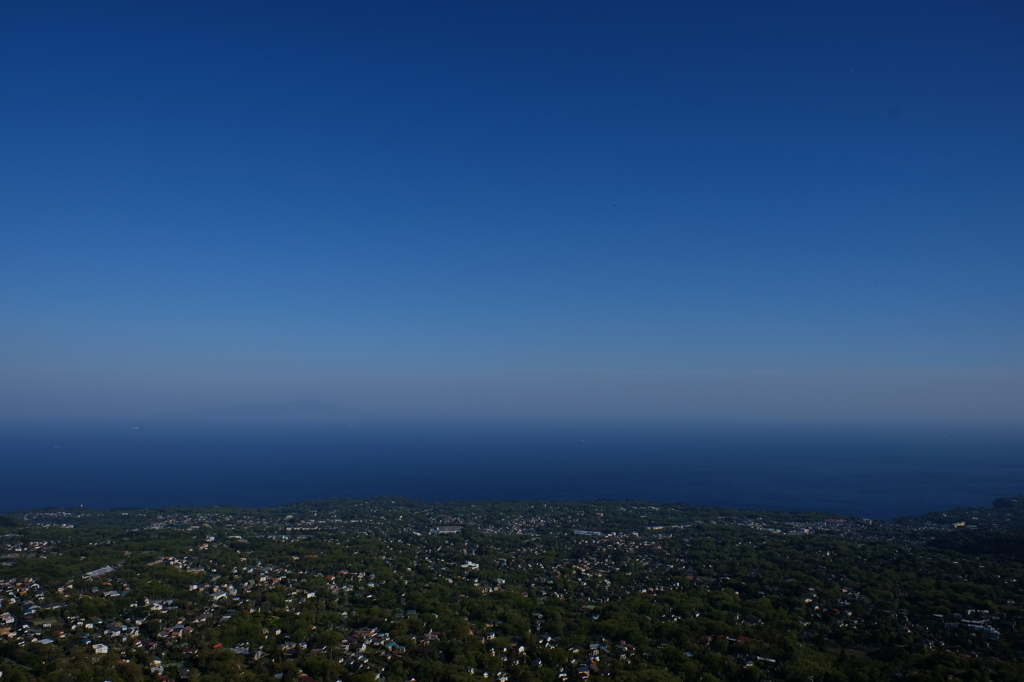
(403, 590)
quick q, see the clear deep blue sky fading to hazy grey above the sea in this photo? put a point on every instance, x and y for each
(515, 210)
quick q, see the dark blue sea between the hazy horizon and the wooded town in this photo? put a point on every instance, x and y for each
(877, 474)
